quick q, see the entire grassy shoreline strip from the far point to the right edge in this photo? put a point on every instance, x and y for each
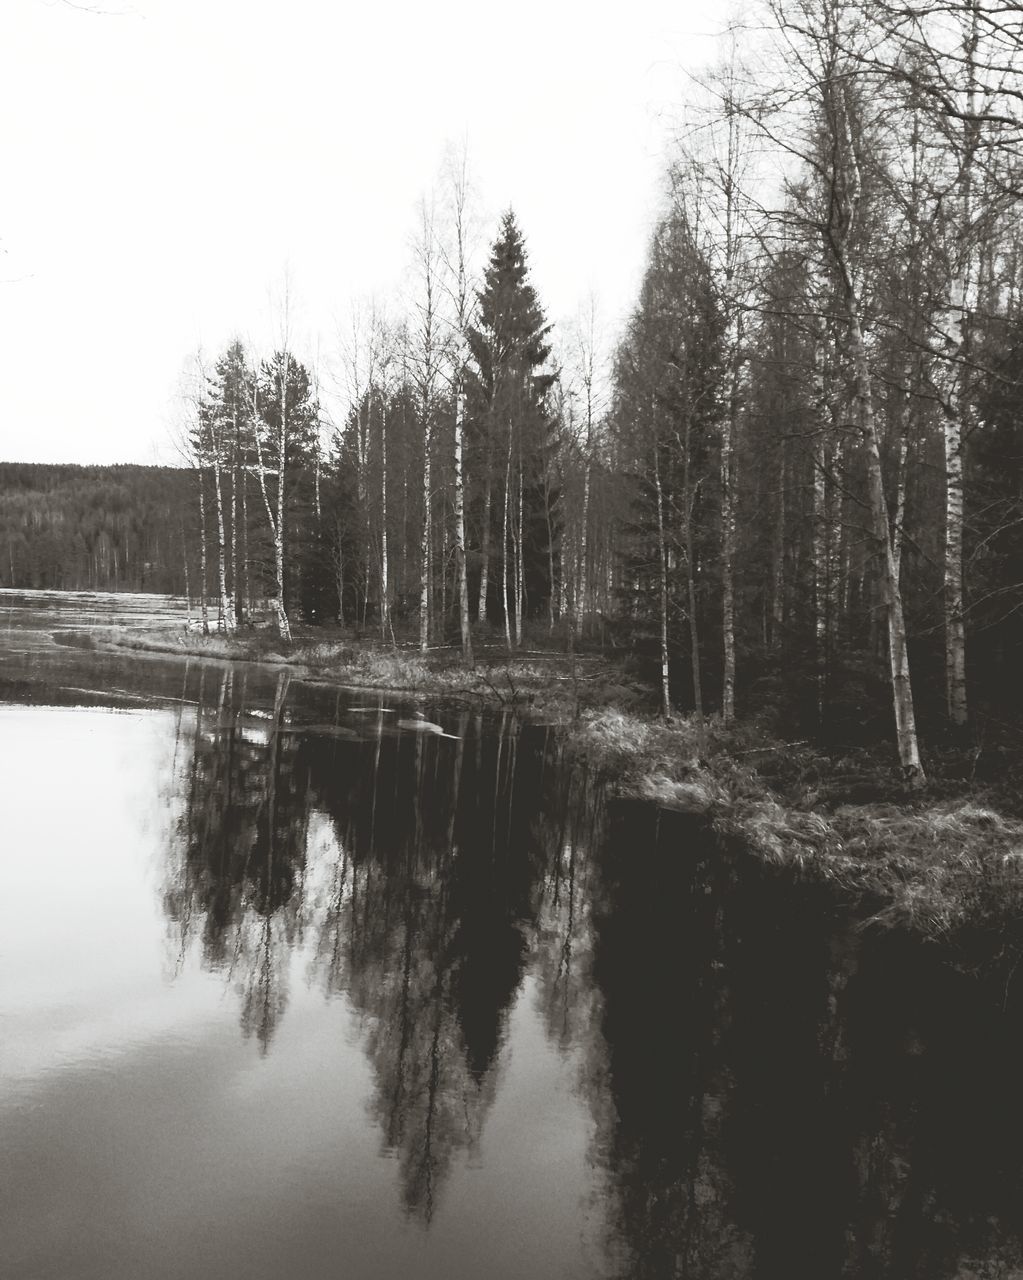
(937, 862)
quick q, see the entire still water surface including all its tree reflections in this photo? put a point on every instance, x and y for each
(289, 990)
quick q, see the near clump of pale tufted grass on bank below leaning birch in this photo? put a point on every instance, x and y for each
(938, 862)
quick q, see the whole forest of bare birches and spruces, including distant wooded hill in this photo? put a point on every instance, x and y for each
(792, 487)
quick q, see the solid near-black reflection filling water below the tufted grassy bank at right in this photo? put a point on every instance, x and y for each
(787, 1096)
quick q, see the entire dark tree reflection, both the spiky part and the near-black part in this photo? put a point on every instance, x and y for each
(771, 1091)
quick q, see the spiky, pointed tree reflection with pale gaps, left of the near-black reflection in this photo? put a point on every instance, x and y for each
(415, 904)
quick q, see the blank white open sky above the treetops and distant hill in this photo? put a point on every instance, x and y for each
(167, 164)
